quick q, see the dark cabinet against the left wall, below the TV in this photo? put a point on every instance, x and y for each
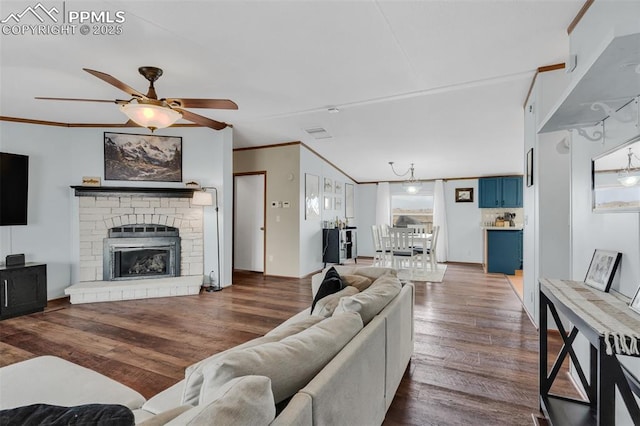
(23, 289)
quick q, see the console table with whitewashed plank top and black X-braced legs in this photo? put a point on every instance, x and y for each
(606, 321)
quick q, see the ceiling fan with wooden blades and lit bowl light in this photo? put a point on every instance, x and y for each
(151, 112)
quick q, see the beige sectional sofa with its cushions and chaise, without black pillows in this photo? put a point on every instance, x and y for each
(341, 364)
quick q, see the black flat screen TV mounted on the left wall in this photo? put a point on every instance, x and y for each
(14, 188)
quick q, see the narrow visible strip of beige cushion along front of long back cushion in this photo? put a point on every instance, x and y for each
(194, 375)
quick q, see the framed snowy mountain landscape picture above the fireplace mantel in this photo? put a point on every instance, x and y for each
(135, 157)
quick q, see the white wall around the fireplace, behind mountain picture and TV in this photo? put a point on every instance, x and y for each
(60, 156)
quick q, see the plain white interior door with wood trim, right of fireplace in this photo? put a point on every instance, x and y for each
(248, 231)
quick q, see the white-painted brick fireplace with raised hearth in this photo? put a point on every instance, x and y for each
(106, 213)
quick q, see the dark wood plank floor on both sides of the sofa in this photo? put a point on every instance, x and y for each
(475, 359)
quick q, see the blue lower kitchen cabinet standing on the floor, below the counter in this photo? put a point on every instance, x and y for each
(504, 251)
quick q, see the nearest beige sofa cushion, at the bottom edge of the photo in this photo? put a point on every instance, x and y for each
(245, 401)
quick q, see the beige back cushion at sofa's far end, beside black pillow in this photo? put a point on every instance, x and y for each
(370, 302)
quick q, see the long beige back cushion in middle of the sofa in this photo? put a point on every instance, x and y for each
(290, 363)
